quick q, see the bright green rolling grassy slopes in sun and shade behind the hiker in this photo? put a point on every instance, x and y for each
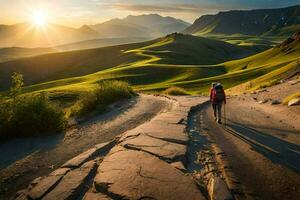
(166, 62)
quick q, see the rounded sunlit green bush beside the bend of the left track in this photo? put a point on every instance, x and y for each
(107, 92)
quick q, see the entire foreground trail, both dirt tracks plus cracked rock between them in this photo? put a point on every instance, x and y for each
(171, 148)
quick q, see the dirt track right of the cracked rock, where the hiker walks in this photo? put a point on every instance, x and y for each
(262, 146)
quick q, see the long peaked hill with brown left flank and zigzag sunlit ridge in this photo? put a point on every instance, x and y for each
(172, 50)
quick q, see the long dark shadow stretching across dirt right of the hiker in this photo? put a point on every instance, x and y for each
(277, 150)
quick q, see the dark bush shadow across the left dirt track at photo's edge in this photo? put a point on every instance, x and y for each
(17, 149)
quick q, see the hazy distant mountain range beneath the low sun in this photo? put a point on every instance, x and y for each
(146, 26)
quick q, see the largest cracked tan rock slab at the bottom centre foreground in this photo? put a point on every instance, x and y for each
(123, 175)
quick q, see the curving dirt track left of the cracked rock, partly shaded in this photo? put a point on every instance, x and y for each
(26, 159)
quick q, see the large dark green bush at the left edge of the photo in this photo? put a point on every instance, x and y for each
(30, 115)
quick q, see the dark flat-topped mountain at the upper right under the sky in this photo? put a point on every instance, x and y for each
(264, 22)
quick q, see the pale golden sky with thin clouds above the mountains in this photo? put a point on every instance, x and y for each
(78, 12)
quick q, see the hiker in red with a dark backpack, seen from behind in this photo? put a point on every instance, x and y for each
(217, 97)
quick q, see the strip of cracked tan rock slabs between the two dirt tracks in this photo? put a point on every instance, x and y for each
(147, 162)
